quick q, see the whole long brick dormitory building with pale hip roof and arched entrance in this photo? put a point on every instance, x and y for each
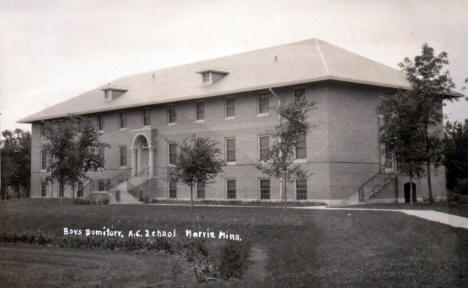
(231, 100)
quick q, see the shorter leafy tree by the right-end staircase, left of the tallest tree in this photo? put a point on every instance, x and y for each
(402, 133)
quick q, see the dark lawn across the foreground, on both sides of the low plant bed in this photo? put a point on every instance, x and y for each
(299, 248)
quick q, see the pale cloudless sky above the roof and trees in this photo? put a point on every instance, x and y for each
(53, 50)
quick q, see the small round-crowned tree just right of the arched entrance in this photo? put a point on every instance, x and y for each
(198, 160)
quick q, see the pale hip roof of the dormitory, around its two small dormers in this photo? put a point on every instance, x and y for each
(296, 63)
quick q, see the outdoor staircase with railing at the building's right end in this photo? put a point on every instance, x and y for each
(368, 191)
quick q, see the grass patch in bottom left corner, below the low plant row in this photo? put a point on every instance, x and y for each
(33, 266)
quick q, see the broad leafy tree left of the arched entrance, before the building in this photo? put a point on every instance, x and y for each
(72, 144)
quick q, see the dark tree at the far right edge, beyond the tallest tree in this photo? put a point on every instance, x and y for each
(456, 152)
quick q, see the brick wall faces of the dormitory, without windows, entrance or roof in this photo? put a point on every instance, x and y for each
(342, 146)
